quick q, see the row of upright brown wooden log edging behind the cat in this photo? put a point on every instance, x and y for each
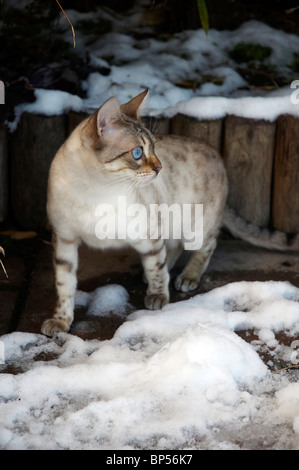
(261, 158)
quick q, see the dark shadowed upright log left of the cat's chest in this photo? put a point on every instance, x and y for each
(33, 147)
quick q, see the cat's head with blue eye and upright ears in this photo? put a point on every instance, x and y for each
(120, 141)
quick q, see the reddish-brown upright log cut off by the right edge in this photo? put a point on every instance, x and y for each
(285, 204)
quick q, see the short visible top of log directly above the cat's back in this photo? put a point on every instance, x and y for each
(209, 131)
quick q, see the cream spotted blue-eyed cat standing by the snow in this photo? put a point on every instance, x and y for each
(112, 155)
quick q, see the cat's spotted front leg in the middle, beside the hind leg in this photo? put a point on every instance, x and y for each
(154, 262)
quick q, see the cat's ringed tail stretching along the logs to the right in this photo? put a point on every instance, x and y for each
(259, 236)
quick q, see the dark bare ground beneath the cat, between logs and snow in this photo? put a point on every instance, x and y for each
(28, 295)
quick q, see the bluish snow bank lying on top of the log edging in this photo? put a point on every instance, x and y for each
(161, 65)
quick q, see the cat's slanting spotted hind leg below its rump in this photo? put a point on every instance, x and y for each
(189, 278)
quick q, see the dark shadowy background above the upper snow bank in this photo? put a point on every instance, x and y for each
(30, 39)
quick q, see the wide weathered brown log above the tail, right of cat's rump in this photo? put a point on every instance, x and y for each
(248, 156)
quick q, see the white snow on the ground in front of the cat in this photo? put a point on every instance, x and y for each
(177, 378)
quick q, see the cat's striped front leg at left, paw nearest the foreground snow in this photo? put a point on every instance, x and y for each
(65, 265)
